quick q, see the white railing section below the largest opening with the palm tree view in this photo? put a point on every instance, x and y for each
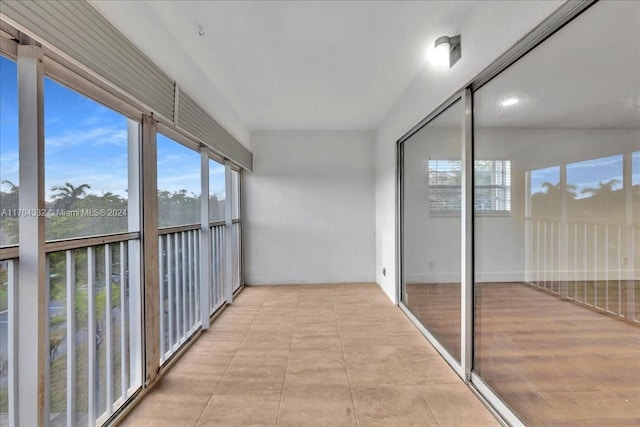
(94, 328)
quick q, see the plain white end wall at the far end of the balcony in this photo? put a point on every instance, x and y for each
(310, 208)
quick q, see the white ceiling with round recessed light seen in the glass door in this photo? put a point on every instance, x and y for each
(585, 76)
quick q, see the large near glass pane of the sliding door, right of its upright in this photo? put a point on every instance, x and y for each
(557, 336)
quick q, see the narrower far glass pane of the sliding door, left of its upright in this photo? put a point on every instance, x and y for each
(431, 204)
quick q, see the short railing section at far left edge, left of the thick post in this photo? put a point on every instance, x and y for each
(8, 315)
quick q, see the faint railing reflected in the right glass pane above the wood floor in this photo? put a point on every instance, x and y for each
(593, 263)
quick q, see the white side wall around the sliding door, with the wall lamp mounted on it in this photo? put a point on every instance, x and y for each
(487, 33)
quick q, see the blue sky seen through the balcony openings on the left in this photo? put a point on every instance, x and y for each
(86, 142)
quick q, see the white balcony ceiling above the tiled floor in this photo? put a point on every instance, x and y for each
(304, 65)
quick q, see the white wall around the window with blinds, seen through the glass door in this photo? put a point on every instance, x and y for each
(432, 242)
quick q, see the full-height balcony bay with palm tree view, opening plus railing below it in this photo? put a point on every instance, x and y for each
(93, 291)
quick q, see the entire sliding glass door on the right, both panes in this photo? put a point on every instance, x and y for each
(555, 265)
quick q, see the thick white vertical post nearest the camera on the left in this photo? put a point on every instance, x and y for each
(32, 292)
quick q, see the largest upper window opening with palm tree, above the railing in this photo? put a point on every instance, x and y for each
(86, 165)
